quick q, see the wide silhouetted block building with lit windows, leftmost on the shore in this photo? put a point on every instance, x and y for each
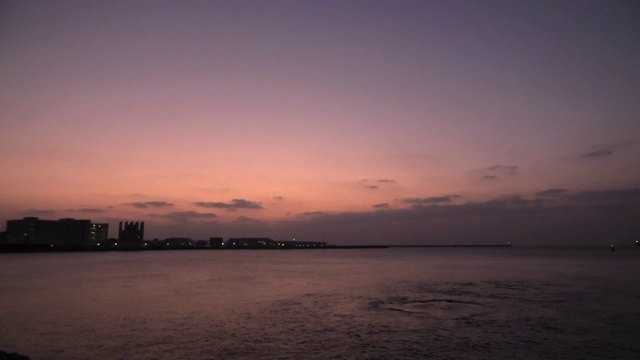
(71, 233)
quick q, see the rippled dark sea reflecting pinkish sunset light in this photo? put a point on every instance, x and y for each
(450, 303)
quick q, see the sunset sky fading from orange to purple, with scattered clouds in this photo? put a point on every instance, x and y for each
(356, 122)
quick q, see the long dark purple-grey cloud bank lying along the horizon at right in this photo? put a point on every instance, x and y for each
(587, 218)
